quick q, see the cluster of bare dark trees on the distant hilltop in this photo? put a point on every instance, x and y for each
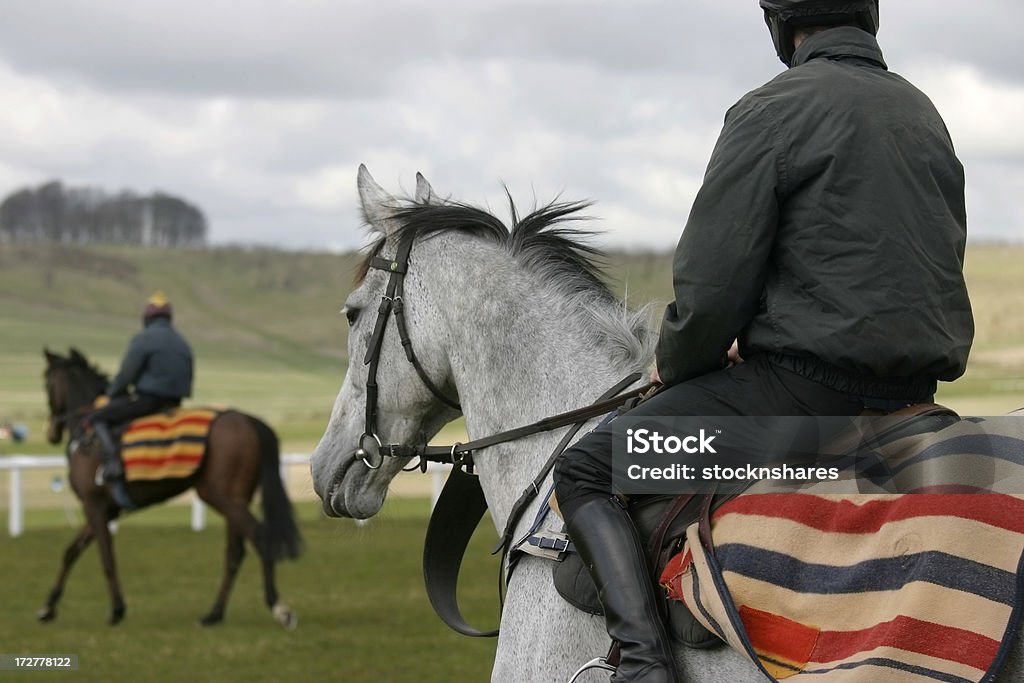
(88, 216)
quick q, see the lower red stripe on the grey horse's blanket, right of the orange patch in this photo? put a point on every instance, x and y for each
(907, 633)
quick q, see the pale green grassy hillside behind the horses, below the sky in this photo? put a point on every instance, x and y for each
(270, 340)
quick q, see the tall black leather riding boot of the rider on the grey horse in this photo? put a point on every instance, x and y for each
(608, 542)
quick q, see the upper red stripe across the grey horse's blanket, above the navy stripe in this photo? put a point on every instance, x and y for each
(846, 518)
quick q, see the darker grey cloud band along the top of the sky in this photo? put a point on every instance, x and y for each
(355, 49)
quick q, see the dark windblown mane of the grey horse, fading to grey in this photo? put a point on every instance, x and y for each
(546, 243)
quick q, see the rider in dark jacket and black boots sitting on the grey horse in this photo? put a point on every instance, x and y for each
(829, 239)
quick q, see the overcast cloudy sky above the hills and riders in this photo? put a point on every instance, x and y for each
(262, 112)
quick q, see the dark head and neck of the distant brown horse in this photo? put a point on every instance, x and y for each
(71, 386)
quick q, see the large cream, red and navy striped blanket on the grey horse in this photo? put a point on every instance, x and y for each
(849, 586)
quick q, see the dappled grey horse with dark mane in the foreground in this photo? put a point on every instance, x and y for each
(518, 326)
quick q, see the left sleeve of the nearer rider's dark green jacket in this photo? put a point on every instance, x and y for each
(720, 263)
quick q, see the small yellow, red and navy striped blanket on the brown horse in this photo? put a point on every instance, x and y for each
(166, 446)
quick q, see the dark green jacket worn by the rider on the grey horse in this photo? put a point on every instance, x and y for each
(830, 229)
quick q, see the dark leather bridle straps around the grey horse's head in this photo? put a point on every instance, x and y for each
(392, 303)
